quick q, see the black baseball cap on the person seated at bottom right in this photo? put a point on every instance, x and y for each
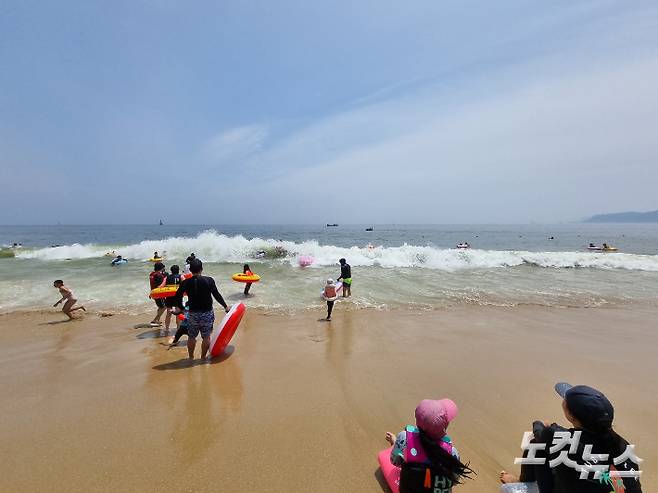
(590, 406)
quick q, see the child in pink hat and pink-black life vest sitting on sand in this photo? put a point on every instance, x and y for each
(423, 457)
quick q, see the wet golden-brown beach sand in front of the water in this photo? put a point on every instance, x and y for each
(300, 404)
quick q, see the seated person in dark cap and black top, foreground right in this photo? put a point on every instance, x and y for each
(590, 413)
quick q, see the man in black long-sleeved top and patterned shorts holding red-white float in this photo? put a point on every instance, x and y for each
(200, 292)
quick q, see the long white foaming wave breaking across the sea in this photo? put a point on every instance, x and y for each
(211, 246)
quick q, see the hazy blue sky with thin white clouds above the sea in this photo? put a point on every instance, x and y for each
(369, 112)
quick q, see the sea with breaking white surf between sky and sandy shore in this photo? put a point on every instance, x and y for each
(393, 266)
